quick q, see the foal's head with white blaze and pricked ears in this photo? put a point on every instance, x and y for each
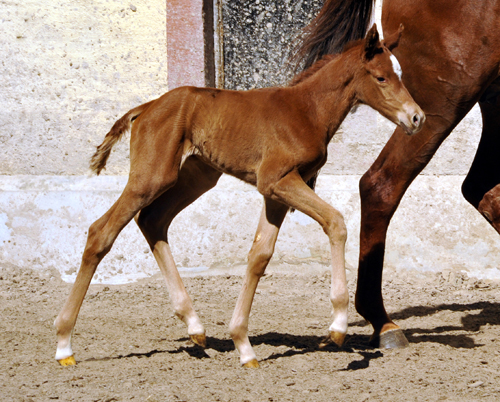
(379, 83)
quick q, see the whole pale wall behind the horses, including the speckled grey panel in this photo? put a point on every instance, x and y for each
(71, 68)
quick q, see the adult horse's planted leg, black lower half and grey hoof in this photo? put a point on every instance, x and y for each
(381, 190)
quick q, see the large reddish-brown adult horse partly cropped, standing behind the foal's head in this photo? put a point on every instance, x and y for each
(450, 56)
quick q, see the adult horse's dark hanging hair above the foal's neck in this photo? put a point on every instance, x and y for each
(338, 22)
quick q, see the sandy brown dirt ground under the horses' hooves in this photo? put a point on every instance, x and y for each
(129, 346)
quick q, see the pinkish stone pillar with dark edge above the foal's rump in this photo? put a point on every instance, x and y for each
(190, 43)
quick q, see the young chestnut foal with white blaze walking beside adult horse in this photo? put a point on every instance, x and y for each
(275, 139)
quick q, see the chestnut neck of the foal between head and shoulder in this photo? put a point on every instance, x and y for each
(330, 92)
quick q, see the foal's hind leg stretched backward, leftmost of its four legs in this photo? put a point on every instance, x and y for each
(147, 152)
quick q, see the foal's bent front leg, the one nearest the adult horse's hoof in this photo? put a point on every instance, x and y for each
(293, 191)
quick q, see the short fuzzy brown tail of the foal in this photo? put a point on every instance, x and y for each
(121, 126)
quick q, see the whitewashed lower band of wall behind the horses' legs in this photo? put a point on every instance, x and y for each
(44, 223)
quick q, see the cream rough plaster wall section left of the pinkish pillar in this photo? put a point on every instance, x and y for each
(70, 69)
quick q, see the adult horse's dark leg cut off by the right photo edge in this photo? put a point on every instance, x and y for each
(481, 186)
